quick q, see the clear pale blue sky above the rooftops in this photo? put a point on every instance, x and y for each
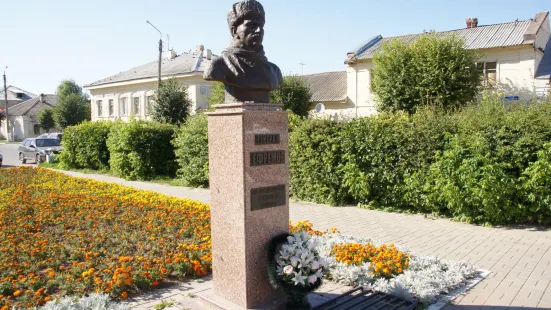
(46, 41)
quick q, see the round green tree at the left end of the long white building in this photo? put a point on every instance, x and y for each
(71, 109)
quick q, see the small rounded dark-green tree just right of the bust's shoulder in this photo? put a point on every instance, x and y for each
(294, 94)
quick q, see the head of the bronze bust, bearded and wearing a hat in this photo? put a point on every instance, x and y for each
(246, 22)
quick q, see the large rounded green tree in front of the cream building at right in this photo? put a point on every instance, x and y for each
(429, 71)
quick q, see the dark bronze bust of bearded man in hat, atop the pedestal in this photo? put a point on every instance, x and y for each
(247, 74)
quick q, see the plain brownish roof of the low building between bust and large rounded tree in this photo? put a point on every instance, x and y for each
(327, 86)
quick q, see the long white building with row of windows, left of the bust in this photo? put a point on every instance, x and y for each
(130, 93)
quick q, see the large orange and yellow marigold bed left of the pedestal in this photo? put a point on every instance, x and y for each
(63, 235)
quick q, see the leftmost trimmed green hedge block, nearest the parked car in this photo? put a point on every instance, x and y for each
(84, 146)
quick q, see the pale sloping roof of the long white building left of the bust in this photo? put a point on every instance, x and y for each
(181, 64)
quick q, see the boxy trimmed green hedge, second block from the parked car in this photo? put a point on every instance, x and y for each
(141, 150)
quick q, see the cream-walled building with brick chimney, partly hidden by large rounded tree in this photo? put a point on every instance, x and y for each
(516, 57)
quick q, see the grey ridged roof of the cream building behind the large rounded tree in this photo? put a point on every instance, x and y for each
(481, 37)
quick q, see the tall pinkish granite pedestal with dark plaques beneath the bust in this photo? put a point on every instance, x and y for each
(249, 173)
